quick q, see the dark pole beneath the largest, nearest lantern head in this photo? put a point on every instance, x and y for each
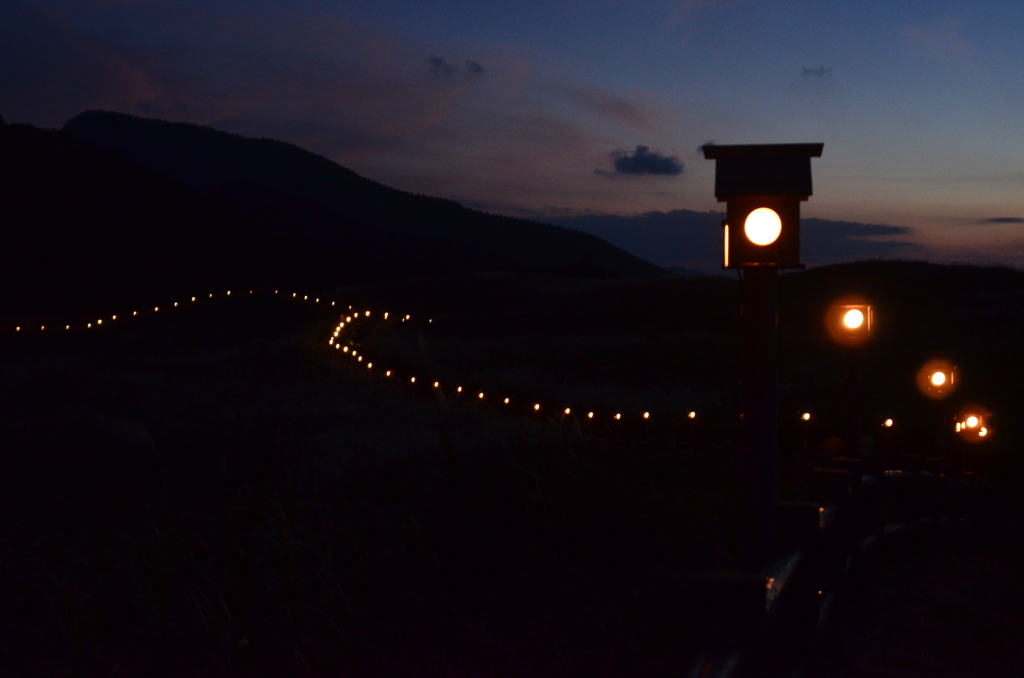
(760, 407)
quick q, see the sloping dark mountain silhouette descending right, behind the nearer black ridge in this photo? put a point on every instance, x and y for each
(390, 233)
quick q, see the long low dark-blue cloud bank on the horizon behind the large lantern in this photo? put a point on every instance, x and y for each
(685, 239)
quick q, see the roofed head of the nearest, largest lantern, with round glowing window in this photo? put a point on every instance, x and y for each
(762, 186)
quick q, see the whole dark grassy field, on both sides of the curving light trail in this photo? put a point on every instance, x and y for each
(220, 493)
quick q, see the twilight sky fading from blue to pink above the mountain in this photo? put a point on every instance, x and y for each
(573, 109)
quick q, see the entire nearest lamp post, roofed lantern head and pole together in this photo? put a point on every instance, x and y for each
(762, 186)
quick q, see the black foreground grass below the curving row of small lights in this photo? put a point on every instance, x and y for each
(214, 495)
